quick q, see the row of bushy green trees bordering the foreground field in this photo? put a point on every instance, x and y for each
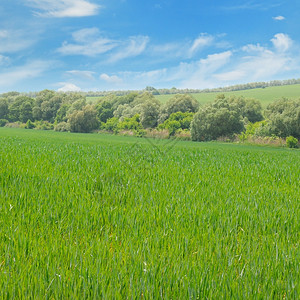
(139, 114)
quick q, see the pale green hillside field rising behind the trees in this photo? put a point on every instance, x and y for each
(265, 96)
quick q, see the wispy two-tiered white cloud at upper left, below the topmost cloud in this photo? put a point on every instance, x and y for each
(88, 42)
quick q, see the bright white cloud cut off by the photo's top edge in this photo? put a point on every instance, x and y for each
(64, 8)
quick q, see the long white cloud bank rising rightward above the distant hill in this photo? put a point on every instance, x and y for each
(252, 62)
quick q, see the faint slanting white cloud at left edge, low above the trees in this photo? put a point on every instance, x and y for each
(20, 73)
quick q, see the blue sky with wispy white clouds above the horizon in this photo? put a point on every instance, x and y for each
(129, 44)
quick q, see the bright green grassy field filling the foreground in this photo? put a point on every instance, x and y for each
(87, 216)
